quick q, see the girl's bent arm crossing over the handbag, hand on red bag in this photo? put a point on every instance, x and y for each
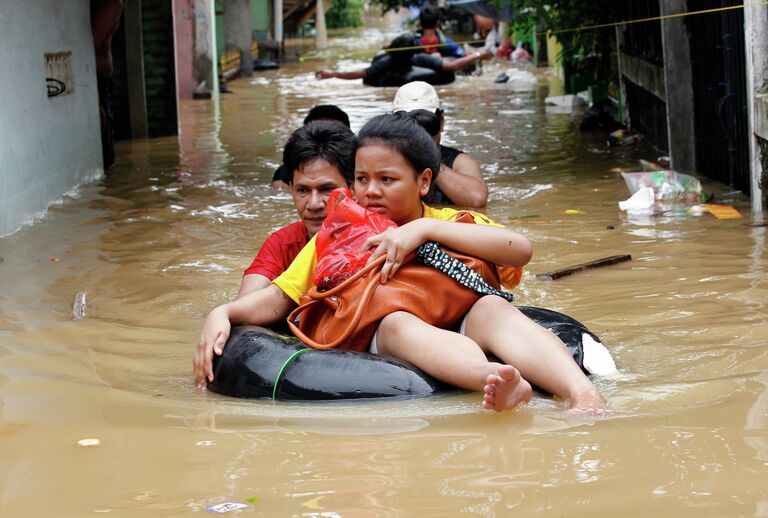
(498, 245)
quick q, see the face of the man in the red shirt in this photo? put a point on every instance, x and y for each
(312, 184)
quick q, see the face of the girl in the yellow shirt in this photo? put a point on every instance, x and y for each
(385, 182)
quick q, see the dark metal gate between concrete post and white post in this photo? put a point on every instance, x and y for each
(720, 93)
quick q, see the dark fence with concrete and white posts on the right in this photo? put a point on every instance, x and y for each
(696, 85)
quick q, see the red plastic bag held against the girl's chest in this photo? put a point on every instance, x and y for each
(346, 227)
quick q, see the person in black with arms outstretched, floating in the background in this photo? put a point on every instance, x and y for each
(388, 68)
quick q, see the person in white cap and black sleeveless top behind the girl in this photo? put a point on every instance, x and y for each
(460, 181)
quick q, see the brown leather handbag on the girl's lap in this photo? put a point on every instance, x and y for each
(348, 315)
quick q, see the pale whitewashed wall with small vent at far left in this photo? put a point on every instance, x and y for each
(47, 145)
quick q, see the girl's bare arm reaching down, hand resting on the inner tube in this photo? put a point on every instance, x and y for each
(262, 307)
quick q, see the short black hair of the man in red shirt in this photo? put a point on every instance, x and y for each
(329, 140)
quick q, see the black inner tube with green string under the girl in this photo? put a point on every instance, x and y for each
(259, 363)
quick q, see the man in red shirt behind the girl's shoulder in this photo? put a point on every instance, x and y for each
(321, 158)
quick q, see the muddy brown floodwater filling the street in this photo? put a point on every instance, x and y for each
(166, 237)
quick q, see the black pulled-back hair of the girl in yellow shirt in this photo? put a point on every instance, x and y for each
(405, 136)
